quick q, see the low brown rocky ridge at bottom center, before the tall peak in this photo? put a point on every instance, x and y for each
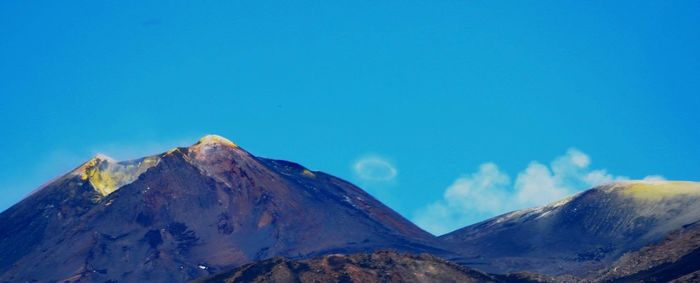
(361, 268)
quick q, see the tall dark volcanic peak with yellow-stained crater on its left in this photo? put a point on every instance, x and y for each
(190, 212)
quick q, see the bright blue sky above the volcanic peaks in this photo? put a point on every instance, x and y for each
(432, 93)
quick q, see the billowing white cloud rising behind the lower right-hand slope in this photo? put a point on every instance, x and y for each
(490, 192)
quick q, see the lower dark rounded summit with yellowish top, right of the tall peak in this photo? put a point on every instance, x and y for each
(580, 234)
